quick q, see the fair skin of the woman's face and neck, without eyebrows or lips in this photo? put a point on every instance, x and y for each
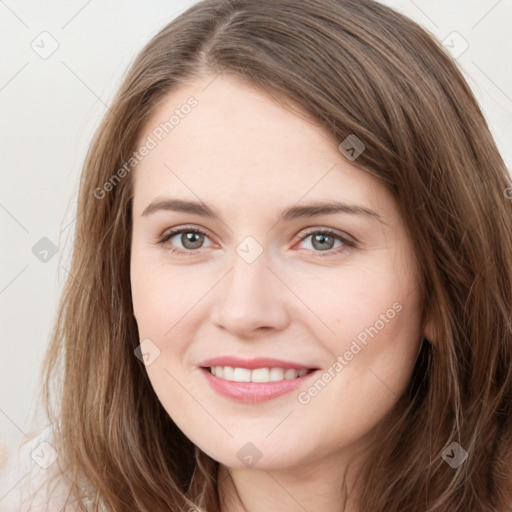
(248, 158)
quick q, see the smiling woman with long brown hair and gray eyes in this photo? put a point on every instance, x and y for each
(292, 275)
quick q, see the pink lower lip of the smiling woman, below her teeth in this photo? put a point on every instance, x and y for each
(254, 392)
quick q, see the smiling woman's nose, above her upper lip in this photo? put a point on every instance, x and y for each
(250, 300)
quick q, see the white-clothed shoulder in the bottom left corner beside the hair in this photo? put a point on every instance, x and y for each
(27, 478)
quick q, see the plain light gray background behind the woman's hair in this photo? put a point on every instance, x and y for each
(51, 106)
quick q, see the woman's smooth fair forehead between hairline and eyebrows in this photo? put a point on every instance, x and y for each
(238, 142)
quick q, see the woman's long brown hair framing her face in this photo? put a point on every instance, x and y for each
(355, 67)
